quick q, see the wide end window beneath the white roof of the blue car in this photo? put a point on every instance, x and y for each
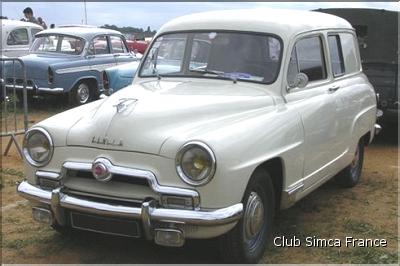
(58, 44)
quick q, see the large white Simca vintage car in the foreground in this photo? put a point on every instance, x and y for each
(232, 115)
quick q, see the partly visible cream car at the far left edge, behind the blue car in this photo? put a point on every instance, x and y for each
(17, 37)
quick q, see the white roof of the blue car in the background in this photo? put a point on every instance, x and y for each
(83, 32)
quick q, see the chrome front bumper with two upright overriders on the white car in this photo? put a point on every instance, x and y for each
(148, 213)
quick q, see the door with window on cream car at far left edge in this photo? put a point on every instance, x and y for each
(17, 42)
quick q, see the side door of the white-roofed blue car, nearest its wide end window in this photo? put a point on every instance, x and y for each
(99, 54)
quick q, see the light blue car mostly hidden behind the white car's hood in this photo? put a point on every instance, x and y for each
(117, 77)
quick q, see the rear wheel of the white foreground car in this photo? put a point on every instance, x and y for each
(350, 176)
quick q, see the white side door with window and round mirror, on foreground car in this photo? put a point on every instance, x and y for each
(315, 105)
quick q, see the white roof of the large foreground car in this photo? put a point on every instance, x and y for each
(284, 23)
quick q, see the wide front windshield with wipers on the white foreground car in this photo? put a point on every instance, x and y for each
(227, 55)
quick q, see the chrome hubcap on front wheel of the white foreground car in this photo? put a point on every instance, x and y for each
(253, 217)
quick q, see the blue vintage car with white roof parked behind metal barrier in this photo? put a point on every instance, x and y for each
(70, 61)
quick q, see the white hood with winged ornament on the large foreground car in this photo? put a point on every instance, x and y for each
(143, 116)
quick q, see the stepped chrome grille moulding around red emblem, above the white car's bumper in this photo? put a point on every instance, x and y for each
(79, 166)
